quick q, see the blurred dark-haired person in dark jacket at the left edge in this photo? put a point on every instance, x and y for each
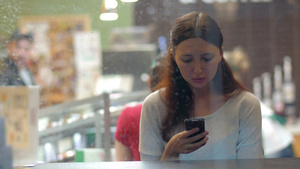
(14, 69)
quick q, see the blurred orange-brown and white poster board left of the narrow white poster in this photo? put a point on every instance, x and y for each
(53, 62)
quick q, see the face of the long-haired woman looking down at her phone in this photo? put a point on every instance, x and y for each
(197, 61)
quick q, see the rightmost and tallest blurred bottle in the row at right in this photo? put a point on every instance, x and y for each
(289, 91)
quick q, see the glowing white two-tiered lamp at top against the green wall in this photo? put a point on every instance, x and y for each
(109, 11)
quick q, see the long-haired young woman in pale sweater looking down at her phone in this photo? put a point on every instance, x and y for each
(199, 83)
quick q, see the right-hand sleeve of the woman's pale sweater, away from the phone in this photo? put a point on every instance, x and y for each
(249, 143)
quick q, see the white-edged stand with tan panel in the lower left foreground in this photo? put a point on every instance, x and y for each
(20, 108)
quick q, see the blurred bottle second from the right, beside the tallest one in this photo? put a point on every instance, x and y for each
(277, 97)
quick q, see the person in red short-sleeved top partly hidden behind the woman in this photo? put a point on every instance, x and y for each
(127, 132)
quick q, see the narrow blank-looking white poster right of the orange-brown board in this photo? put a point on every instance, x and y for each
(88, 59)
